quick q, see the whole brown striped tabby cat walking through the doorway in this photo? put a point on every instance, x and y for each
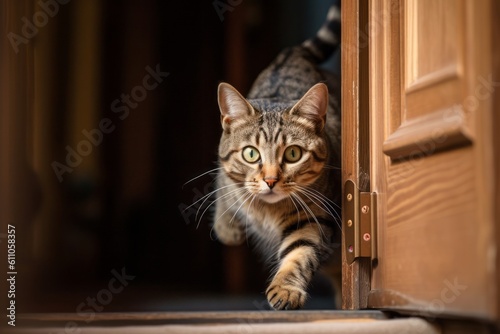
(279, 157)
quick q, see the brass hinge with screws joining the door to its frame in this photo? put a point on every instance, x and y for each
(360, 223)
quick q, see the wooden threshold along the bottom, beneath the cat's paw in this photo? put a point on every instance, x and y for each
(300, 322)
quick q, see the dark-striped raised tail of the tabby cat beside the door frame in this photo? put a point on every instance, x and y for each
(327, 39)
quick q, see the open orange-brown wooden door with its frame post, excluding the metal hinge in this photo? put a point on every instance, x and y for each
(420, 90)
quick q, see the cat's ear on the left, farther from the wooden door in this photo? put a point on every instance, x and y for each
(232, 104)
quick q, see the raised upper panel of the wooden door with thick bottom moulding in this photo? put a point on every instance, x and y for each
(433, 115)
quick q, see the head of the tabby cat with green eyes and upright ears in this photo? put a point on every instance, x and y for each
(272, 149)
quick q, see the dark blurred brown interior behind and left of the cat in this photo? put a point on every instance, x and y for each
(108, 109)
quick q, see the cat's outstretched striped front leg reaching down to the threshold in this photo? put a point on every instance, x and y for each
(298, 258)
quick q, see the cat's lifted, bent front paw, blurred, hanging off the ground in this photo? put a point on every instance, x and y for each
(227, 226)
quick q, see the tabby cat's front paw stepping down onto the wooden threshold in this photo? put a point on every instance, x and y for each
(286, 297)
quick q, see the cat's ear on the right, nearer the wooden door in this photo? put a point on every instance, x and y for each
(313, 105)
